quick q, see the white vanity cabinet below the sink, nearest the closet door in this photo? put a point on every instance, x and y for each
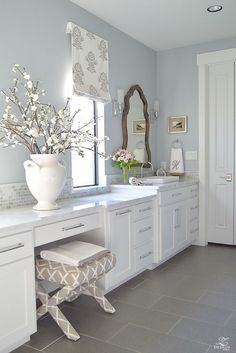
(178, 219)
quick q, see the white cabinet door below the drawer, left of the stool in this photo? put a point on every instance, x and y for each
(17, 302)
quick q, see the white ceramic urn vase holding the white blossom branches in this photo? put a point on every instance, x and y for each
(45, 177)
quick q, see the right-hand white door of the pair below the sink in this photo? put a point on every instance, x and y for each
(180, 224)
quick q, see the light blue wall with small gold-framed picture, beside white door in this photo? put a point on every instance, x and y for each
(177, 86)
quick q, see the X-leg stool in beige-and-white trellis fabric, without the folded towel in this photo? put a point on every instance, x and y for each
(74, 281)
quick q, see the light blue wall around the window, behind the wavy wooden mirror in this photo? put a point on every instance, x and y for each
(32, 33)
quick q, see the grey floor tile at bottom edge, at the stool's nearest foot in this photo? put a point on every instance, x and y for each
(84, 345)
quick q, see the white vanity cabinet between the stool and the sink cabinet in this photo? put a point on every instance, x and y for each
(129, 235)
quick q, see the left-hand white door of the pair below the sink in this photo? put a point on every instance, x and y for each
(166, 232)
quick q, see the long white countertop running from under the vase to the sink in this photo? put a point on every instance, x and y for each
(14, 219)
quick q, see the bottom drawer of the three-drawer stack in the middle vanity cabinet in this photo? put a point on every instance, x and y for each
(143, 256)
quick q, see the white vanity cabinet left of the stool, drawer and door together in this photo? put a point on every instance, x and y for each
(17, 294)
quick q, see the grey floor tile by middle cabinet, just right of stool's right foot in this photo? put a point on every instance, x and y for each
(137, 296)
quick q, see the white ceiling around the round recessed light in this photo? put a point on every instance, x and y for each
(165, 24)
